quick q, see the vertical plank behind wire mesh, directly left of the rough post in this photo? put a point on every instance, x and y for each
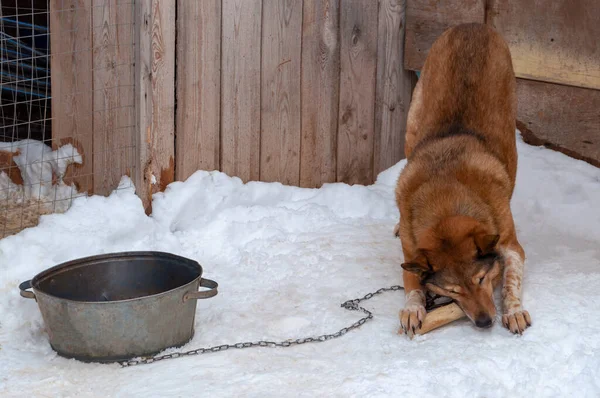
(113, 59)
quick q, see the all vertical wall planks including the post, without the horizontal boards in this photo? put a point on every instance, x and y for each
(300, 92)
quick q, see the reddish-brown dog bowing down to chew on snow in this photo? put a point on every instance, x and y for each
(456, 226)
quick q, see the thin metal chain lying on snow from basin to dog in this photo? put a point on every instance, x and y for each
(351, 305)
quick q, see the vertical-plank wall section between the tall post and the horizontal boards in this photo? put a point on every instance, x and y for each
(301, 92)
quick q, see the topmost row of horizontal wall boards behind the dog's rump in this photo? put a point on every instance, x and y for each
(550, 40)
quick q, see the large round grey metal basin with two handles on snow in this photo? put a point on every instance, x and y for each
(115, 307)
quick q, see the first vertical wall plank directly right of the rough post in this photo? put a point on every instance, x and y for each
(197, 131)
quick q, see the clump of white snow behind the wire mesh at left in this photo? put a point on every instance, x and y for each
(38, 164)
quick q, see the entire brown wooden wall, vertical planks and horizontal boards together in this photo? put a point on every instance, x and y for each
(303, 92)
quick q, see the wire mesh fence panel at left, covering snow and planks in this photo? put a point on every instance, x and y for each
(67, 114)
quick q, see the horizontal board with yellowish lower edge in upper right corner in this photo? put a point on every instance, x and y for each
(551, 40)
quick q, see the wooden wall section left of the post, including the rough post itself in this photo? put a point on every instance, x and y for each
(113, 91)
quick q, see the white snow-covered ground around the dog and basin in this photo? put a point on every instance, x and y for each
(285, 258)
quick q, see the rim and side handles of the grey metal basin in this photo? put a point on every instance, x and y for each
(84, 262)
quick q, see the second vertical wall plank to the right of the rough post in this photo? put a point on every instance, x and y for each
(240, 90)
